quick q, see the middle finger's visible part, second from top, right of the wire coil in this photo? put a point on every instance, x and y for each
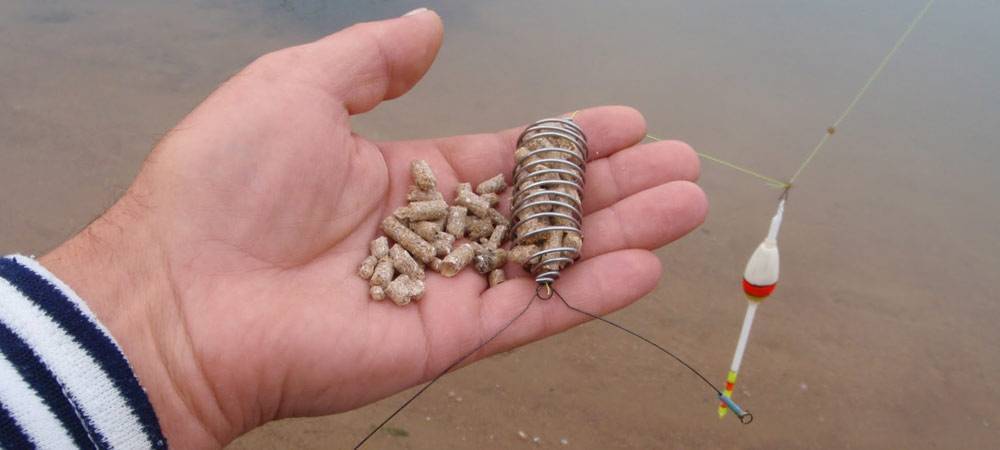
(636, 169)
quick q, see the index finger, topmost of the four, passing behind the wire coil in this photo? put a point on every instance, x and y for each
(477, 157)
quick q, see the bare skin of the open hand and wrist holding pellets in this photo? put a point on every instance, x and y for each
(227, 271)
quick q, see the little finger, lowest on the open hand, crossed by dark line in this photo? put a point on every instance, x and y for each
(599, 286)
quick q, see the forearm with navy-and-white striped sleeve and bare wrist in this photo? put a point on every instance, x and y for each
(114, 371)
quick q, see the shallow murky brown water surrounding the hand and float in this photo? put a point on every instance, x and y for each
(880, 333)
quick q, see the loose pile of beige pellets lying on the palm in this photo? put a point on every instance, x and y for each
(430, 233)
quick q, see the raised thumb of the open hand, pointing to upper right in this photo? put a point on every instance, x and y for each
(364, 64)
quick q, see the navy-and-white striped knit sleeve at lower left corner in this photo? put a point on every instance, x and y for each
(64, 382)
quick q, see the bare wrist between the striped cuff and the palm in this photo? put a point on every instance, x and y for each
(118, 267)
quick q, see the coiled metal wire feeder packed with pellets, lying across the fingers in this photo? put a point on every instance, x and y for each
(547, 202)
